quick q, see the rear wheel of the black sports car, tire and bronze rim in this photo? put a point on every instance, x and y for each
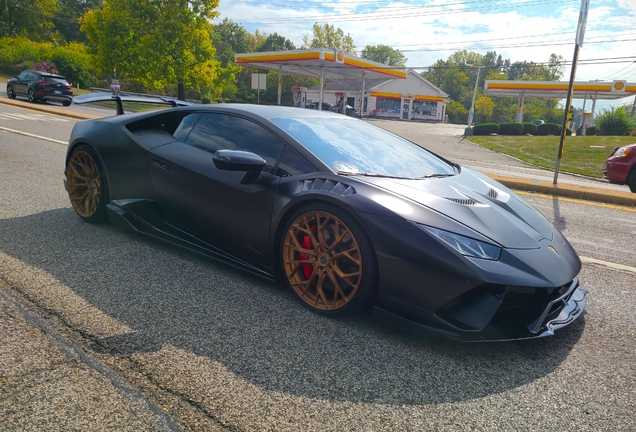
(86, 184)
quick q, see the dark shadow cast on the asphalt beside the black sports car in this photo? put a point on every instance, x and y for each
(258, 331)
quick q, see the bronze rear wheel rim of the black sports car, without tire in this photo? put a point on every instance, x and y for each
(83, 183)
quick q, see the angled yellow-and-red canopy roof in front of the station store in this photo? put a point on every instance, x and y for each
(319, 62)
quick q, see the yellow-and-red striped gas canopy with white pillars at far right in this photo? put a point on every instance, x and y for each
(593, 90)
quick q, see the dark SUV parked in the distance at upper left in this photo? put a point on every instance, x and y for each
(40, 86)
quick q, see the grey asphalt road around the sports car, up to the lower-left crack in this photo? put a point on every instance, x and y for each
(218, 349)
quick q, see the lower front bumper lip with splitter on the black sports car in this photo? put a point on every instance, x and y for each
(558, 313)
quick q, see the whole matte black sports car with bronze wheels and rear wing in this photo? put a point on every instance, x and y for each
(347, 214)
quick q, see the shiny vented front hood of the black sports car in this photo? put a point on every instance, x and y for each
(475, 201)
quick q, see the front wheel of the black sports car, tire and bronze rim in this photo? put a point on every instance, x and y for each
(327, 260)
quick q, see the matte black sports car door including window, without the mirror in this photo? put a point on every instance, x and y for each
(210, 202)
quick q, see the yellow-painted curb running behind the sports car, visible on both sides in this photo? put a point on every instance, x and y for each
(587, 193)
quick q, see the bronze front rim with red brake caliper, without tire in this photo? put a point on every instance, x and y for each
(322, 260)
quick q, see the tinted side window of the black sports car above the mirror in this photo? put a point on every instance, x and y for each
(222, 131)
